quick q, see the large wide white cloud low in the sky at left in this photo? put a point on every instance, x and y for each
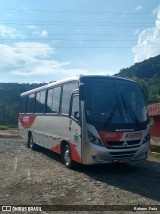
(32, 59)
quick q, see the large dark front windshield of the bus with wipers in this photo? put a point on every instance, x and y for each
(114, 101)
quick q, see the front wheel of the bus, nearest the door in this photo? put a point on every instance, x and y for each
(67, 156)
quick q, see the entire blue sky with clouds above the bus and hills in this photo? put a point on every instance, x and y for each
(49, 40)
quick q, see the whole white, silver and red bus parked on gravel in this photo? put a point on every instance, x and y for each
(89, 120)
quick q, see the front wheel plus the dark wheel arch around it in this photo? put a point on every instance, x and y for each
(66, 154)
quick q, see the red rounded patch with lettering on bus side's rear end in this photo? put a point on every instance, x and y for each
(27, 120)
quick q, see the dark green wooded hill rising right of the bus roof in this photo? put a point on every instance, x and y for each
(147, 74)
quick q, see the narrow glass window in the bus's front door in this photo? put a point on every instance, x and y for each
(75, 107)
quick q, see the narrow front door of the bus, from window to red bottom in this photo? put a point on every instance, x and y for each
(75, 129)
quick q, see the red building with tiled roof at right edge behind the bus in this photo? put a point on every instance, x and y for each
(154, 112)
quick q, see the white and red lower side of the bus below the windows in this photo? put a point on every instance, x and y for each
(49, 131)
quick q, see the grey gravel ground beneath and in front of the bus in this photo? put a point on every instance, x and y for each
(39, 178)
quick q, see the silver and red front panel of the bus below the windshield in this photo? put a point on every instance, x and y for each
(128, 151)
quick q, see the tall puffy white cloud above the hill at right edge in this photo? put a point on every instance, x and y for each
(148, 42)
